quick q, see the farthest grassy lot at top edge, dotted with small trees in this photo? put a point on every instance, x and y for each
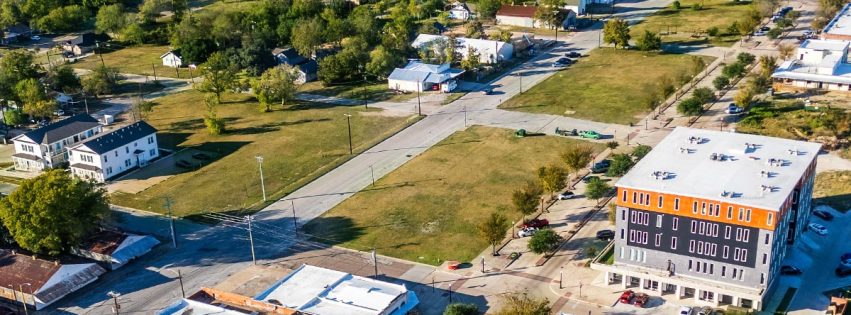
(679, 26)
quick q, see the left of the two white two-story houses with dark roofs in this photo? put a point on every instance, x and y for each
(46, 147)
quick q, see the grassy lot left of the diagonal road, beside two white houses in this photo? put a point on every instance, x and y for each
(298, 143)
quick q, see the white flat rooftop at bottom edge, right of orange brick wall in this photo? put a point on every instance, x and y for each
(323, 291)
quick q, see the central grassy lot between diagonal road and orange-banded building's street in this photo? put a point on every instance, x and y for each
(428, 210)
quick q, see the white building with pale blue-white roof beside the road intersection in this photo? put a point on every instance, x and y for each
(418, 76)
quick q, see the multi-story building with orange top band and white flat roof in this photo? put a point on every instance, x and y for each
(710, 215)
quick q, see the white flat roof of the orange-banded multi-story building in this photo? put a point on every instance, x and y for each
(692, 172)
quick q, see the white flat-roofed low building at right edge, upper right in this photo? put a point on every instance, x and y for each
(817, 64)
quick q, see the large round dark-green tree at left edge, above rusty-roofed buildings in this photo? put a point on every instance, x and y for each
(53, 212)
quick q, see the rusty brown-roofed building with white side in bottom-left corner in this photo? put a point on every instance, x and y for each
(38, 282)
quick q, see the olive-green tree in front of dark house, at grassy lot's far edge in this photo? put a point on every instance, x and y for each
(276, 85)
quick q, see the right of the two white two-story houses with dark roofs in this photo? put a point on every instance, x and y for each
(114, 153)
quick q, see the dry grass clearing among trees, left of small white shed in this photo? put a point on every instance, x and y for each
(136, 60)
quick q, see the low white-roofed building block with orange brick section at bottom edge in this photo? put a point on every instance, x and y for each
(306, 290)
